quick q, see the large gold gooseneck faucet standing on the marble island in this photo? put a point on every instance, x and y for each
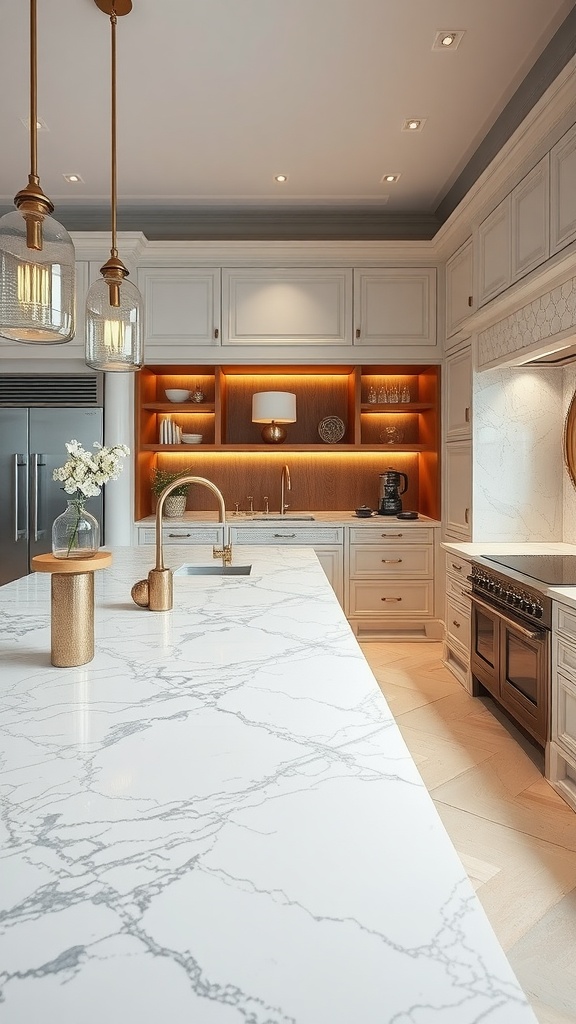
(157, 593)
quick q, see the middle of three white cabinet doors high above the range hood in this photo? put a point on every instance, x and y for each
(530, 221)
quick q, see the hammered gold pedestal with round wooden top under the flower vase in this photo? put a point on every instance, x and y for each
(72, 607)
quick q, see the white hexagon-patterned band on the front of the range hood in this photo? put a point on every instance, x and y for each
(547, 318)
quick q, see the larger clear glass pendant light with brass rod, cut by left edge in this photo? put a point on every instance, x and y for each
(37, 272)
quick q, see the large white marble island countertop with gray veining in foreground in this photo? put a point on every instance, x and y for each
(217, 821)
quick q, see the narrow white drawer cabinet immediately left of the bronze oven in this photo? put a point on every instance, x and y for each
(458, 619)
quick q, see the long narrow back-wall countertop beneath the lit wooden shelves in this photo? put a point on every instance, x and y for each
(294, 518)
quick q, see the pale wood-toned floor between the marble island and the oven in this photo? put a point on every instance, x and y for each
(516, 837)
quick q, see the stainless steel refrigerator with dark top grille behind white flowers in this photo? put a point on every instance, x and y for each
(32, 445)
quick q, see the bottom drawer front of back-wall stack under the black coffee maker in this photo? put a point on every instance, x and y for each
(397, 599)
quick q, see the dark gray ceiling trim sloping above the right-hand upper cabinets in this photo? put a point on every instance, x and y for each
(560, 51)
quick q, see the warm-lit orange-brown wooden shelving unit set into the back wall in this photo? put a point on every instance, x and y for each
(405, 436)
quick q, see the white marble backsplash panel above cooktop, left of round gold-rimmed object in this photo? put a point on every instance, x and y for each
(519, 467)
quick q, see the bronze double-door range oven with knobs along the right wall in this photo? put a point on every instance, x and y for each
(511, 648)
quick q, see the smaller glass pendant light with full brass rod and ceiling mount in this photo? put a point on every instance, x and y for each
(114, 307)
